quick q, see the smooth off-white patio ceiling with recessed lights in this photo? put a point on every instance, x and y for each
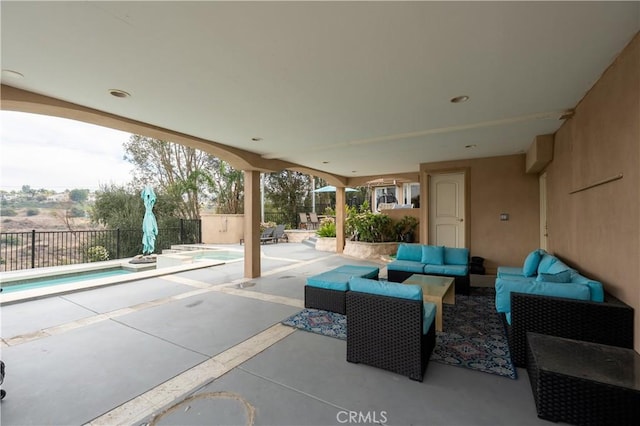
(350, 88)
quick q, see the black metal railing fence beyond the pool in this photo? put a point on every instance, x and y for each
(37, 249)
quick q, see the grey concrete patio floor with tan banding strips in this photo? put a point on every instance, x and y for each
(206, 347)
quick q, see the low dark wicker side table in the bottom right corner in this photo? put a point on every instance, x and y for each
(583, 383)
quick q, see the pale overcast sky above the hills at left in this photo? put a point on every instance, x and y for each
(59, 154)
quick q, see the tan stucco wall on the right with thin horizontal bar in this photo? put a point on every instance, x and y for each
(598, 230)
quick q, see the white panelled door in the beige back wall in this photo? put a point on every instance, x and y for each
(447, 210)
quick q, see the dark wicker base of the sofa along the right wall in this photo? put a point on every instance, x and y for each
(608, 323)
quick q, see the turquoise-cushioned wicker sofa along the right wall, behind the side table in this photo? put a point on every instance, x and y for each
(574, 308)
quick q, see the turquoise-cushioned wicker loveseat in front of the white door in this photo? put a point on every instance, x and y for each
(431, 260)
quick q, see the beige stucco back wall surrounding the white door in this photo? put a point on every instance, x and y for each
(497, 185)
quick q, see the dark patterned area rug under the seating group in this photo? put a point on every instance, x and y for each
(473, 335)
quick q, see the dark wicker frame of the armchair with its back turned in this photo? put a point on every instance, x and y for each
(386, 332)
